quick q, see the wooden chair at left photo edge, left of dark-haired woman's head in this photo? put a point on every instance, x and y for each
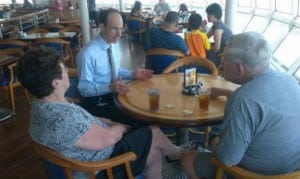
(12, 79)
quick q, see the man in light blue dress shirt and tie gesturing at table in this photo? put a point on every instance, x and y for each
(99, 71)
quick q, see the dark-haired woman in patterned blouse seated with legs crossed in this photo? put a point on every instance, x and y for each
(73, 132)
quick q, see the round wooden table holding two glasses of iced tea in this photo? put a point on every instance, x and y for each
(175, 108)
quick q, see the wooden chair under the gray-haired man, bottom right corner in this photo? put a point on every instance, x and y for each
(241, 173)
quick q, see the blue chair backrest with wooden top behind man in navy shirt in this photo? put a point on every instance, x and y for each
(158, 59)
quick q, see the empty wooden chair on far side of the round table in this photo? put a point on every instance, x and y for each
(199, 62)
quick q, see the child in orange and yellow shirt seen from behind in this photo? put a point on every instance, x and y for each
(196, 40)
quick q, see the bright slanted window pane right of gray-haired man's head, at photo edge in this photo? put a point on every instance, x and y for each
(288, 50)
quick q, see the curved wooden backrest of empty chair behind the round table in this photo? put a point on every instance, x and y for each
(202, 65)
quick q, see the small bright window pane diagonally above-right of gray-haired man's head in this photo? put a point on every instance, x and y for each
(275, 32)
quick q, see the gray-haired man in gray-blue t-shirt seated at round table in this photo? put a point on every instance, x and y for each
(261, 120)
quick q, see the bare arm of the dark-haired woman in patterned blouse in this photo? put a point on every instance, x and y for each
(98, 137)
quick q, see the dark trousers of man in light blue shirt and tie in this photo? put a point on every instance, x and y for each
(104, 106)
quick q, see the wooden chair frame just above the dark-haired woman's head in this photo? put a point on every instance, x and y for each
(61, 46)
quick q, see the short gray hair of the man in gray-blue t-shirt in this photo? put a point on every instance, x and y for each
(251, 48)
